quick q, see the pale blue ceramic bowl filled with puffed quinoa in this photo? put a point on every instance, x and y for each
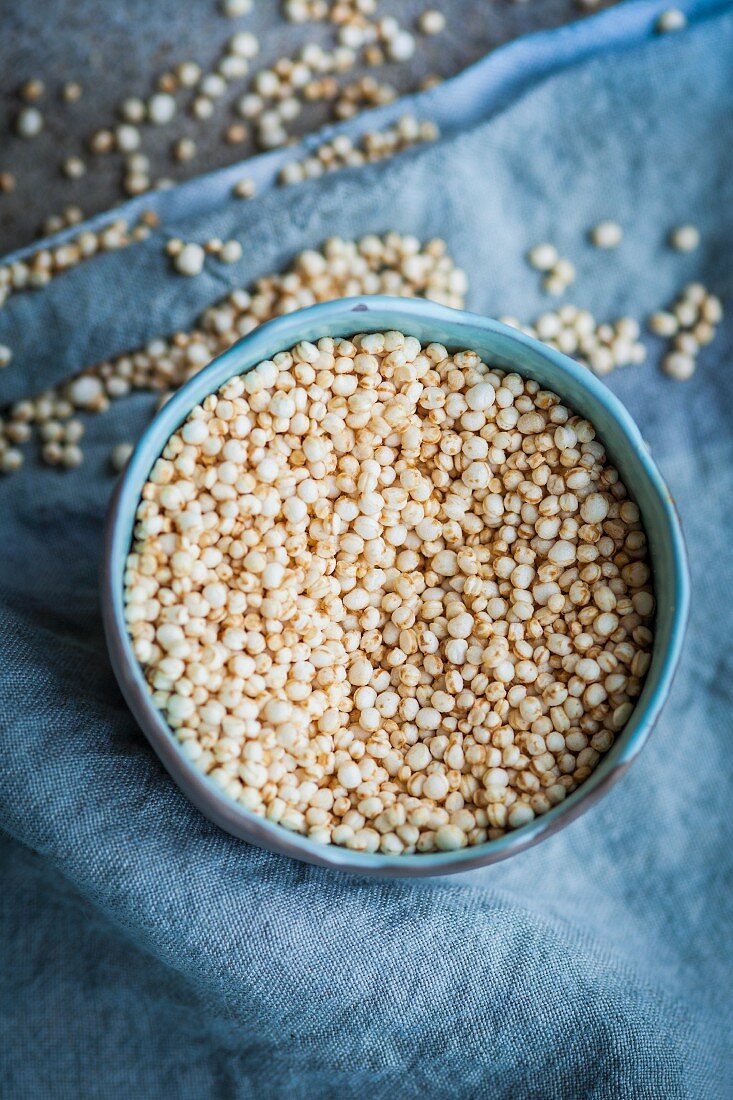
(502, 347)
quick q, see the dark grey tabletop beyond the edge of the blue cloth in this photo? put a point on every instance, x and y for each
(118, 50)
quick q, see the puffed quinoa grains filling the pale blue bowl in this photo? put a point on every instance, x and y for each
(390, 597)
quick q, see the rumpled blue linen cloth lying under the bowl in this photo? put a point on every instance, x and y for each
(148, 954)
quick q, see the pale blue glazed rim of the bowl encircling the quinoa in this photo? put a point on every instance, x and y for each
(235, 819)
